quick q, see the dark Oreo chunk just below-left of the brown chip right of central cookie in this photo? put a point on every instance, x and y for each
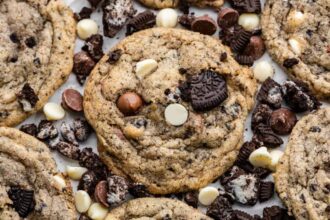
(264, 134)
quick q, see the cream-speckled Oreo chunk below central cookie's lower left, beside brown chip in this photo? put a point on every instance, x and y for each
(118, 189)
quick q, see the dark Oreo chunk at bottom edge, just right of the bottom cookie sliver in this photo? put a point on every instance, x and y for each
(220, 209)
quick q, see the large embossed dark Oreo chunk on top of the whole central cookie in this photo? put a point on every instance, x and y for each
(205, 91)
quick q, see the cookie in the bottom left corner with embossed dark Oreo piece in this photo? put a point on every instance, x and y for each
(30, 185)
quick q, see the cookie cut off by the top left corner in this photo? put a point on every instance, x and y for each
(37, 42)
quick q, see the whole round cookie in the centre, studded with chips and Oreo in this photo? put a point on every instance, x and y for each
(145, 147)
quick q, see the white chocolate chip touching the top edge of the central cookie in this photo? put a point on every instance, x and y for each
(167, 17)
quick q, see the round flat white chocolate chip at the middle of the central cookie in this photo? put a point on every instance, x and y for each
(176, 114)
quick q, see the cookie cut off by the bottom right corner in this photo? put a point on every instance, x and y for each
(302, 178)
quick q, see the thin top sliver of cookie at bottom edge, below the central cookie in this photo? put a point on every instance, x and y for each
(155, 208)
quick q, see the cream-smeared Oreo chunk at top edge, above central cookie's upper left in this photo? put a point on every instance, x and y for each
(115, 15)
